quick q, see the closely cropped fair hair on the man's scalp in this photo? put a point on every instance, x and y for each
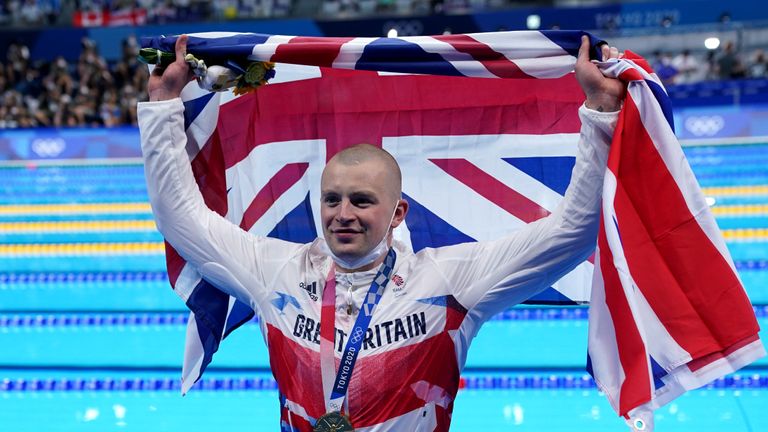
(367, 153)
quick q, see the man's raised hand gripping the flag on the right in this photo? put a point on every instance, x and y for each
(603, 93)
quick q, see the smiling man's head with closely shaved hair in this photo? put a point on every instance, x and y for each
(360, 189)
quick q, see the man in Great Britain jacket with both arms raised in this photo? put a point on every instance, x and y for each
(398, 324)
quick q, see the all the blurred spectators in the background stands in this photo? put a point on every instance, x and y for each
(95, 92)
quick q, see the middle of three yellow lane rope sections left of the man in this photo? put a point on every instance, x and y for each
(77, 226)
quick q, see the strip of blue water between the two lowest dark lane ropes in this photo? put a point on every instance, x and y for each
(500, 344)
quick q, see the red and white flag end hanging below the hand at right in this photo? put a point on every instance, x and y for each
(668, 312)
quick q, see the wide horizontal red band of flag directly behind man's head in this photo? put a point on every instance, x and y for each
(368, 107)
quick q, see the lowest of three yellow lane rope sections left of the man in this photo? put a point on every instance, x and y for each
(143, 248)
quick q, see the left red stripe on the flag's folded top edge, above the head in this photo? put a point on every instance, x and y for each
(317, 51)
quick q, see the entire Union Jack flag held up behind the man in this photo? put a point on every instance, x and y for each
(480, 158)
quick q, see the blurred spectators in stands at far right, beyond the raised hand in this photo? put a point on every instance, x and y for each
(726, 63)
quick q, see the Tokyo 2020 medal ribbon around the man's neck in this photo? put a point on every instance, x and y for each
(335, 390)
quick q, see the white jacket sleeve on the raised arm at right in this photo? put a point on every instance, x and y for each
(488, 277)
